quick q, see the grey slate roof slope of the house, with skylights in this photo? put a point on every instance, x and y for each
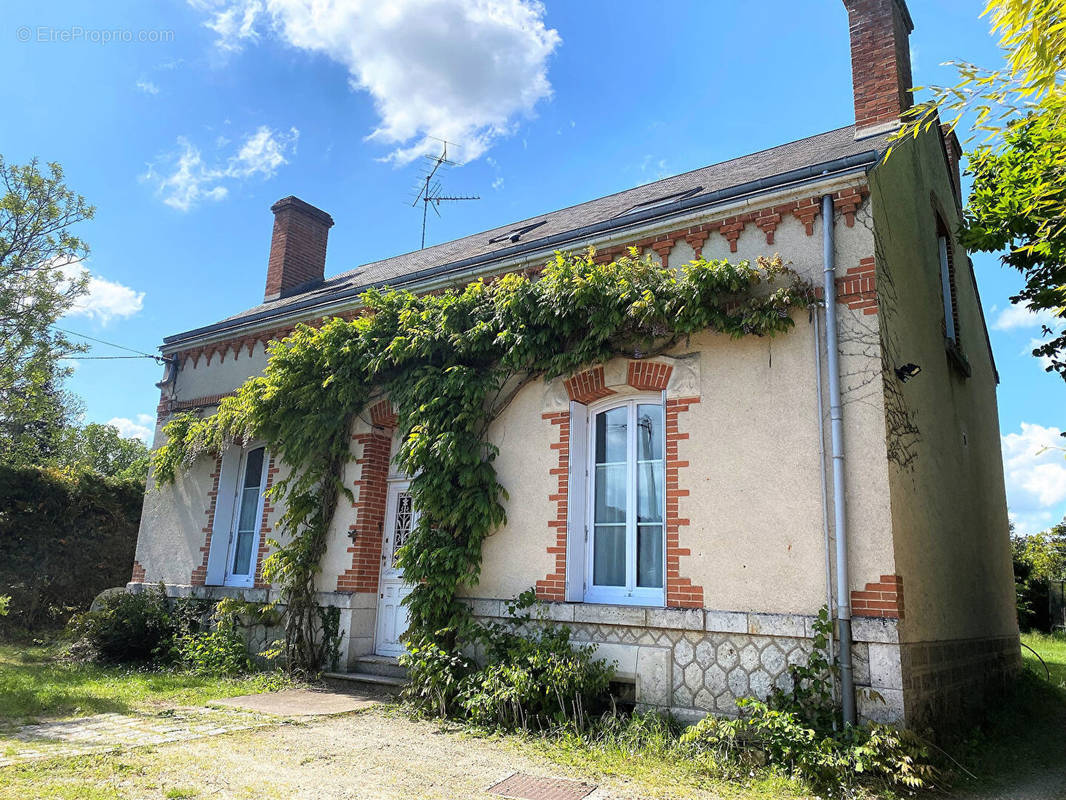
(664, 195)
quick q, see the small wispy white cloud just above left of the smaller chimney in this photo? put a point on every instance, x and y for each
(186, 180)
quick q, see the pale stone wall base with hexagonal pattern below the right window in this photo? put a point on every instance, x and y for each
(698, 662)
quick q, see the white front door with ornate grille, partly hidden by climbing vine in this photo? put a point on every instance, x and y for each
(400, 519)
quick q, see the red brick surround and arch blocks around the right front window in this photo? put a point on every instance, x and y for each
(645, 376)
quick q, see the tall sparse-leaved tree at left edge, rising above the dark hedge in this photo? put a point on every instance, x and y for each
(40, 281)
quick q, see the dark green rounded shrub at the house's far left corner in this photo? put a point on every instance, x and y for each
(128, 629)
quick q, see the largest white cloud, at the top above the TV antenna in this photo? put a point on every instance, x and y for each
(456, 70)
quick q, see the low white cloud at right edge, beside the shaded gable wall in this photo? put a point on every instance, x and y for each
(1036, 481)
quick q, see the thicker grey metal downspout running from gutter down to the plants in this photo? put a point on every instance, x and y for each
(837, 438)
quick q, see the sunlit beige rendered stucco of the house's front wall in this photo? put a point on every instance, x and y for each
(756, 531)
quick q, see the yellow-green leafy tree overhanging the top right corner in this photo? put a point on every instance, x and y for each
(1019, 200)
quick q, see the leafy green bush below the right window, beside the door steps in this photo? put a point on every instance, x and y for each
(528, 675)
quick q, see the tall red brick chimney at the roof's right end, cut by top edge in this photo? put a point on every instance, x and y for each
(881, 63)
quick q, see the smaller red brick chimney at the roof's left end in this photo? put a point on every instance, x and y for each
(298, 249)
